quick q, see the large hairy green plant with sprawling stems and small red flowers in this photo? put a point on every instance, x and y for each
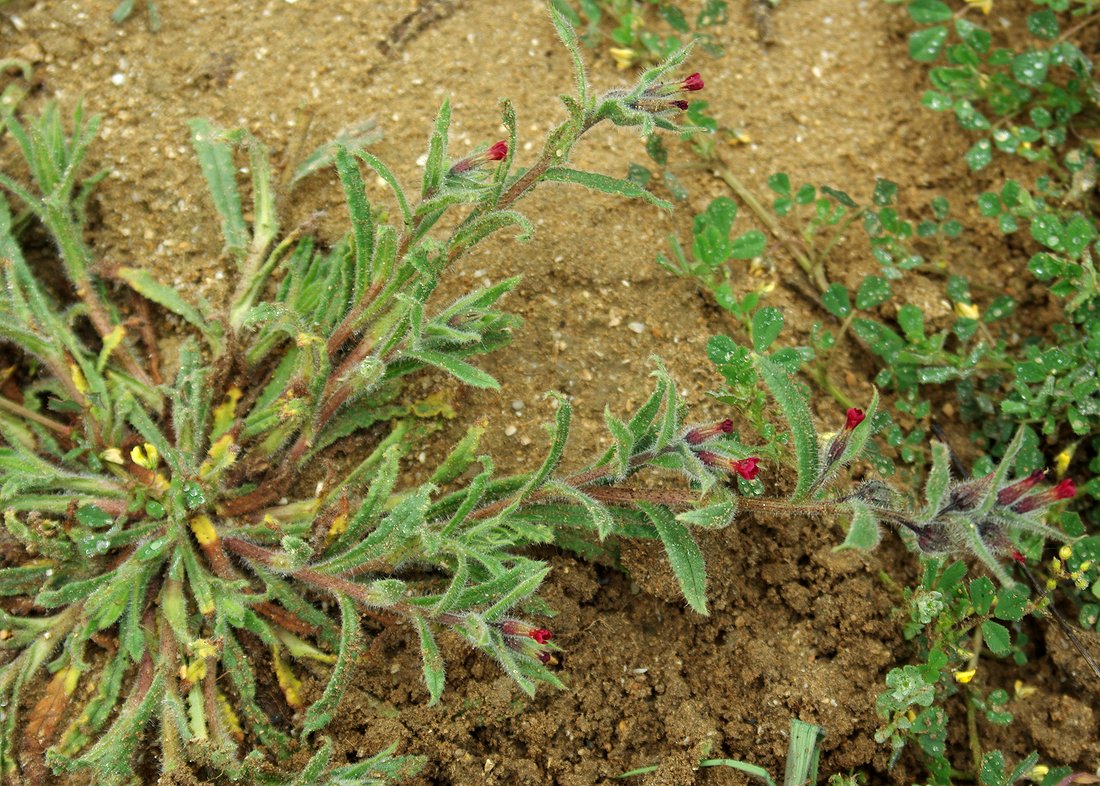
(162, 544)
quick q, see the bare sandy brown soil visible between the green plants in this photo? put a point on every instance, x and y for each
(796, 629)
